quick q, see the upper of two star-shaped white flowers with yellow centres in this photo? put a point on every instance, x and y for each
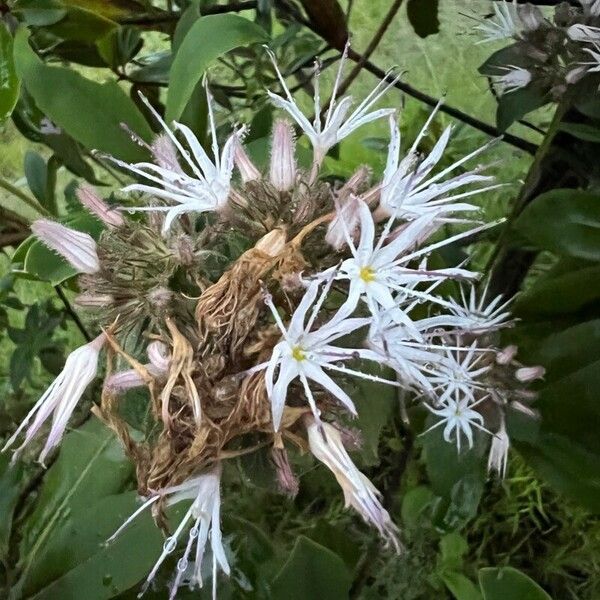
(376, 271)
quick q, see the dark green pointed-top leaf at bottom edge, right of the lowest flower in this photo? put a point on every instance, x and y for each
(310, 572)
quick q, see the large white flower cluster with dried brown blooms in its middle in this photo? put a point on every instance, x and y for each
(259, 297)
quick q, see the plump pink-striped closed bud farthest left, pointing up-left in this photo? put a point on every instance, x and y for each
(76, 247)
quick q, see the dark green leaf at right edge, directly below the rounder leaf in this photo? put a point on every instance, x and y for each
(568, 292)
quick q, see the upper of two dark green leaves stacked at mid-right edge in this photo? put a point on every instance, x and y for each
(566, 222)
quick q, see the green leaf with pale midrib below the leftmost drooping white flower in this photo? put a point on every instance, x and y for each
(91, 465)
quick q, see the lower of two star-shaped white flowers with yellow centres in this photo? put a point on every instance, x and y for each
(304, 353)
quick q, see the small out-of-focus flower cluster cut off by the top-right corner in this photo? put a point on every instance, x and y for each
(547, 56)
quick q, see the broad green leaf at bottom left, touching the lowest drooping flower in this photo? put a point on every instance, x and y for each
(76, 562)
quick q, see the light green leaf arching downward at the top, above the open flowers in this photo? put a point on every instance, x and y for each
(215, 35)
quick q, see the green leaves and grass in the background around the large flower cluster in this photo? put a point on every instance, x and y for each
(460, 529)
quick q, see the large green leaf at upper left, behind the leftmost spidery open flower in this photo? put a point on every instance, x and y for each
(105, 105)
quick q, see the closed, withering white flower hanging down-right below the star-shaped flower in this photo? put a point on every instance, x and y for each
(326, 445)
